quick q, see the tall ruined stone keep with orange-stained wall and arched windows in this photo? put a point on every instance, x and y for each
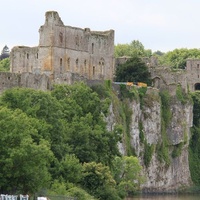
(65, 50)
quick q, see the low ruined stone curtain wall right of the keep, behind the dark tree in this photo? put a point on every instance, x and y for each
(166, 78)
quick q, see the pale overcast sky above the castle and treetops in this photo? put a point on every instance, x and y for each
(158, 24)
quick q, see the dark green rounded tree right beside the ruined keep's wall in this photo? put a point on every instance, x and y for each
(134, 70)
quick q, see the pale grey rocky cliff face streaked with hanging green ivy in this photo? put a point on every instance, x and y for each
(163, 152)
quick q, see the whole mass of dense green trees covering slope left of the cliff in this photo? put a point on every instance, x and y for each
(57, 141)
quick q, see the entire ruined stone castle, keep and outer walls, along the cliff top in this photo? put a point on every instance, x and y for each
(68, 54)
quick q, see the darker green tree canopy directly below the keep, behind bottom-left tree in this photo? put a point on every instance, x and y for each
(74, 117)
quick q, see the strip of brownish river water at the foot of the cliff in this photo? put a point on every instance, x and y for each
(167, 197)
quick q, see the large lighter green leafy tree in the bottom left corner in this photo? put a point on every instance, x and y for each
(25, 156)
